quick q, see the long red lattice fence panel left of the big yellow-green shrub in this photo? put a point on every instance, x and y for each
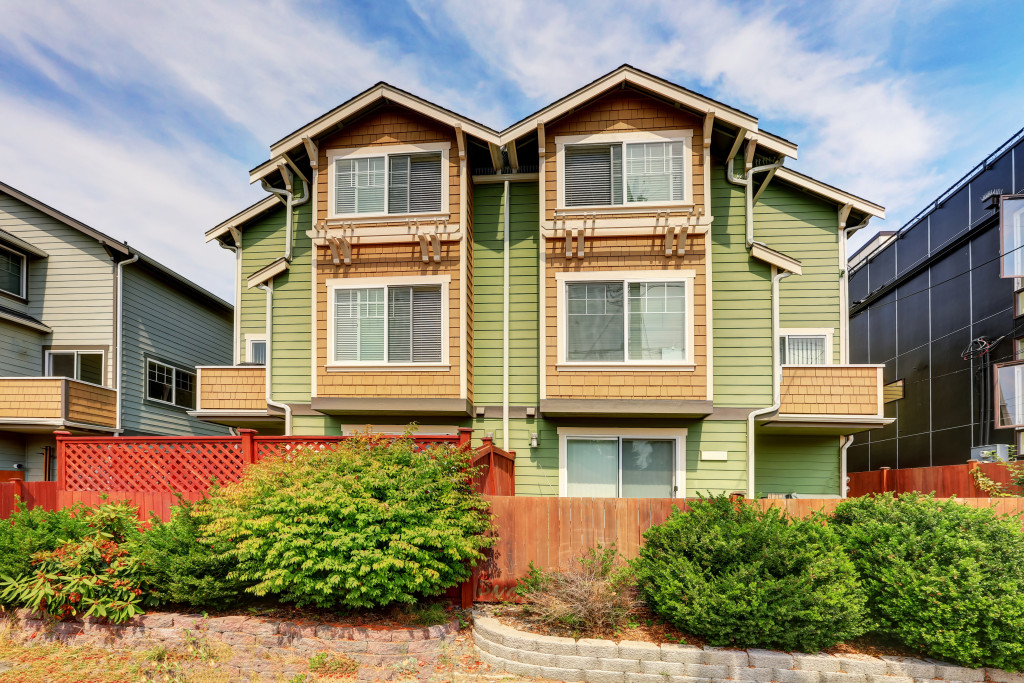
(152, 465)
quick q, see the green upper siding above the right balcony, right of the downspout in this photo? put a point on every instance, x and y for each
(806, 229)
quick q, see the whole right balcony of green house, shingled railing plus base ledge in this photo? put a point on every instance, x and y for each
(829, 400)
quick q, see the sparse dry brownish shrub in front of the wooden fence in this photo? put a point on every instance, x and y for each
(596, 592)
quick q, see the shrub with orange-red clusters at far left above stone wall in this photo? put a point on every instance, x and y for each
(95, 577)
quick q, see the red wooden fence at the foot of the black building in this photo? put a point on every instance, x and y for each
(944, 482)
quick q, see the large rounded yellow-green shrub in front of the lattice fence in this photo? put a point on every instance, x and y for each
(372, 523)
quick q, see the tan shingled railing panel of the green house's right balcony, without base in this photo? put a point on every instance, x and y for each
(832, 391)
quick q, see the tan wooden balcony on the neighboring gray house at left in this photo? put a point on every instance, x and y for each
(41, 405)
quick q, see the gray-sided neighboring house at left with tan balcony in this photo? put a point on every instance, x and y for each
(96, 338)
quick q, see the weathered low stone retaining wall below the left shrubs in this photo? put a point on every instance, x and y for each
(264, 647)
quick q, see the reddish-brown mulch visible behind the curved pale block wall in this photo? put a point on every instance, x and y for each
(649, 628)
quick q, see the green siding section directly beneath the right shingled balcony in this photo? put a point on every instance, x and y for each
(808, 465)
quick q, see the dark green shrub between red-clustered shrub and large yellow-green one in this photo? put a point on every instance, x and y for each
(182, 570)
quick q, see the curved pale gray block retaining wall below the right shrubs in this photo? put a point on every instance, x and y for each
(607, 662)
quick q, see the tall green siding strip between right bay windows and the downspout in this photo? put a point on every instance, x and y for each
(742, 301)
